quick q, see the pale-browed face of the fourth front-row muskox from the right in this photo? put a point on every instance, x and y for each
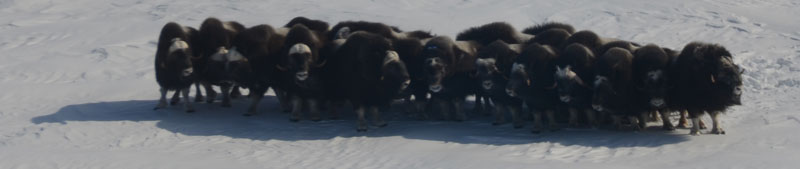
(567, 82)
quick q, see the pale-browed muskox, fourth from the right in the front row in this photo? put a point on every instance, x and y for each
(573, 72)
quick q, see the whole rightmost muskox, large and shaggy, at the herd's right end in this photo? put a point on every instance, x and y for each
(705, 80)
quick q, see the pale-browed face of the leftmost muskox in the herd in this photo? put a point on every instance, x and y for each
(179, 59)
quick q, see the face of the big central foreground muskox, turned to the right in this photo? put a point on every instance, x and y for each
(394, 72)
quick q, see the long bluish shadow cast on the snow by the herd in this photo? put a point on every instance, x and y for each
(270, 123)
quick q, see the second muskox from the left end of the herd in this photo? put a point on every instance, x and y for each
(215, 40)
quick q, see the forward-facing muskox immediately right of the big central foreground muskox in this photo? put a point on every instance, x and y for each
(448, 65)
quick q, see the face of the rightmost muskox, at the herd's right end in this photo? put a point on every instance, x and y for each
(729, 77)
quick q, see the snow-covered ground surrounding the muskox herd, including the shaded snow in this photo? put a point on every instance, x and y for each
(78, 90)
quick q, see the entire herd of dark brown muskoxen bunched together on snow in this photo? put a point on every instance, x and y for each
(549, 72)
